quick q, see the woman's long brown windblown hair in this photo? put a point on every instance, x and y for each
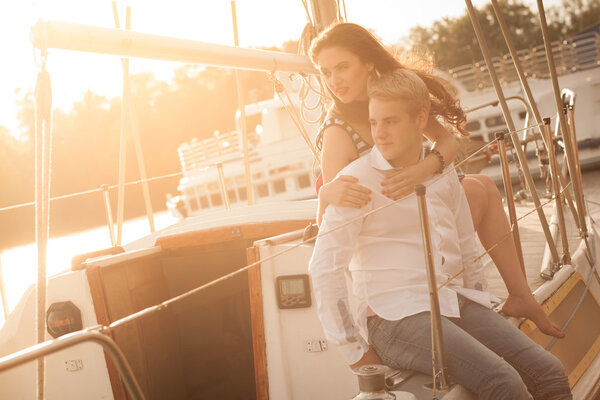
(368, 48)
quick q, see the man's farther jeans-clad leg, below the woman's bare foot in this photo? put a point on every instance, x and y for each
(541, 371)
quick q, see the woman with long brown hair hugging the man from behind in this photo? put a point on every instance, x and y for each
(346, 55)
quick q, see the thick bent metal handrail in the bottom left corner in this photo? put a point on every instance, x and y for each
(93, 334)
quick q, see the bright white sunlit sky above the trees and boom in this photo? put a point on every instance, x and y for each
(261, 23)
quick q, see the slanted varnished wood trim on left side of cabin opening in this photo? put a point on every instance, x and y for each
(99, 300)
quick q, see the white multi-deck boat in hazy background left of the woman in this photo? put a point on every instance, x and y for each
(282, 166)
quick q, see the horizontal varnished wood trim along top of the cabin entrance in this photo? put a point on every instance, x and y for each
(225, 234)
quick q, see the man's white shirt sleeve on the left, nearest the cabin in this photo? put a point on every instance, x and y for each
(330, 259)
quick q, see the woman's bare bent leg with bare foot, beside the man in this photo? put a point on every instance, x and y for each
(491, 224)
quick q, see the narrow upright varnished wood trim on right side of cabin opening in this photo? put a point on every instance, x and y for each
(258, 325)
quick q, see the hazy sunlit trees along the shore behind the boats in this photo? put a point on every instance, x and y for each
(197, 102)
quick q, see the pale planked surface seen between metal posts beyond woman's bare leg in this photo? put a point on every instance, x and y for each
(533, 244)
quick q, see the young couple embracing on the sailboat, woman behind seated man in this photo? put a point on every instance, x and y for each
(372, 155)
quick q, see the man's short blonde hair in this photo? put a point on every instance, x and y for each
(401, 84)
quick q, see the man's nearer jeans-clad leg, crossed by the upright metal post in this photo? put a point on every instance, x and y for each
(406, 344)
